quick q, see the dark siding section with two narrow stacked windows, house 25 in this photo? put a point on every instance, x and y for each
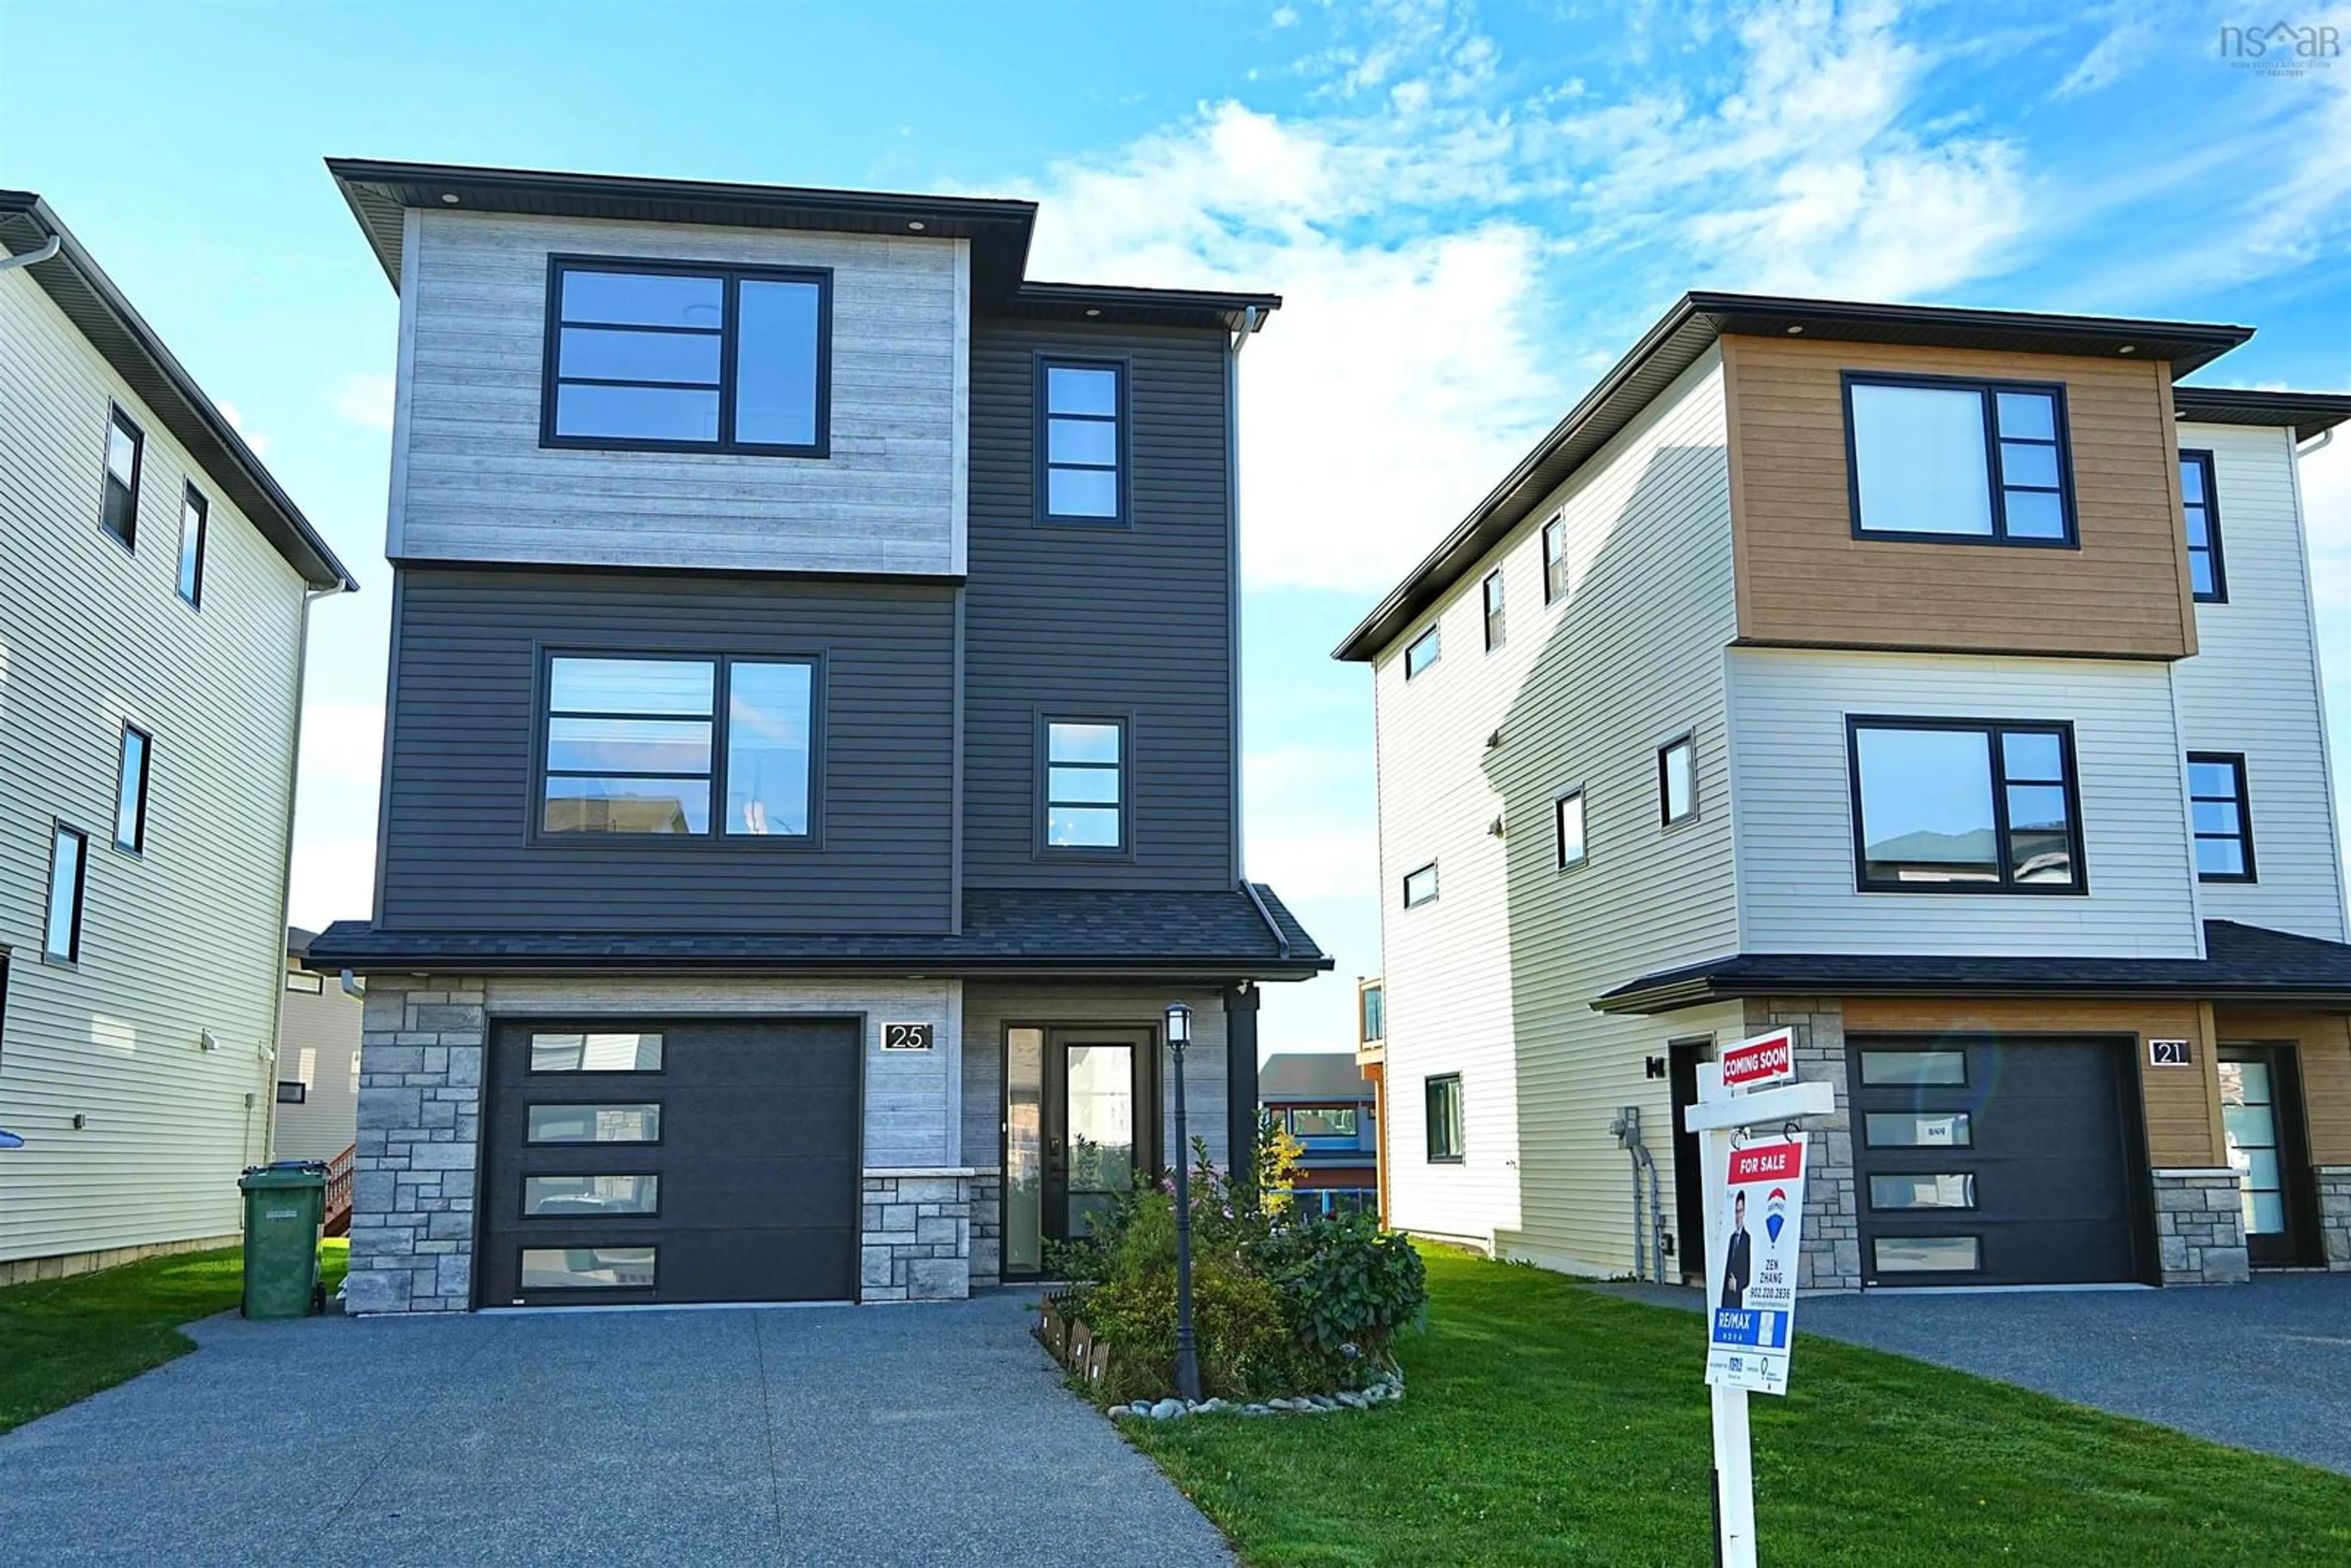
(1101, 619)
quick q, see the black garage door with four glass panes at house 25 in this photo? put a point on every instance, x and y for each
(681, 1162)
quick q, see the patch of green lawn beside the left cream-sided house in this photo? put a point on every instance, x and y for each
(69, 1339)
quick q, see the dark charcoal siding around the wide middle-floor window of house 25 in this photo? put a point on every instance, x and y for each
(464, 786)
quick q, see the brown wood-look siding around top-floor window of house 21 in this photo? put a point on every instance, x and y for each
(1804, 579)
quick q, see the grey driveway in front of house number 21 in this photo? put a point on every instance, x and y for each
(2258, 1367)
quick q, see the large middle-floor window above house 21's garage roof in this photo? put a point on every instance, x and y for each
(1964, 808)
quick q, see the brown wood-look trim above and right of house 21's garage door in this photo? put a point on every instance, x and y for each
(2183, 1118)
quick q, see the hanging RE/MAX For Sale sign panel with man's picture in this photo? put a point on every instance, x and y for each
(1753, 1249)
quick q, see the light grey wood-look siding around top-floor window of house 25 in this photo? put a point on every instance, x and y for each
(478, 485)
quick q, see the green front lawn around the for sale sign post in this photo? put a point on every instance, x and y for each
(1558, 1426)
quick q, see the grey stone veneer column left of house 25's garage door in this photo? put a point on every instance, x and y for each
(417, 1146)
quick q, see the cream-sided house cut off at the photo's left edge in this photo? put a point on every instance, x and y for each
(154, 598)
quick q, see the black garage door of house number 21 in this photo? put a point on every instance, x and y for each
(1997, 1162)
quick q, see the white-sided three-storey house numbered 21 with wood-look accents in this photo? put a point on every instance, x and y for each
(1936, 683)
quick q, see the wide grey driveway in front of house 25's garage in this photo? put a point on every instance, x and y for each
(777, 1435)
